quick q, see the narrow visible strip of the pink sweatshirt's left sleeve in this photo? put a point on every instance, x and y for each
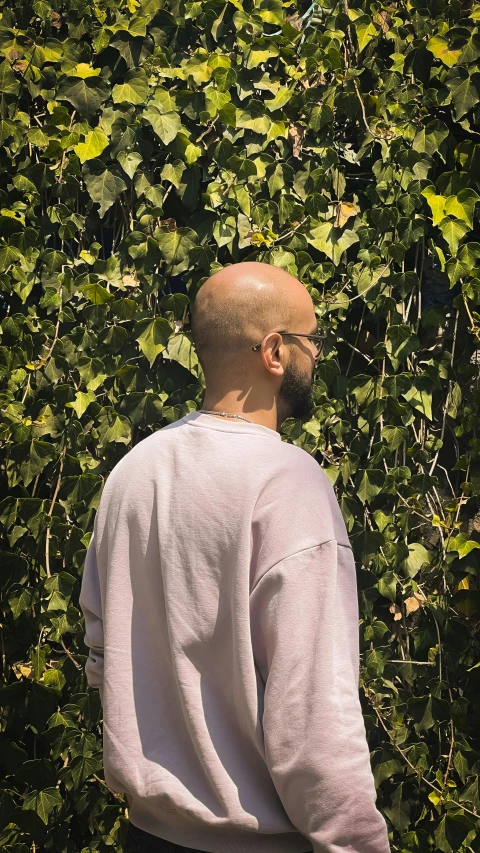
(91, 606)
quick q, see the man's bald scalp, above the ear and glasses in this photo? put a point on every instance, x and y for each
(237, 306)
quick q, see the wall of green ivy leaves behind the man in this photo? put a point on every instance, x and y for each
(145, 144)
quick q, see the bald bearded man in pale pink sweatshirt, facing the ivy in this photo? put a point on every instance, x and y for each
(220, 604)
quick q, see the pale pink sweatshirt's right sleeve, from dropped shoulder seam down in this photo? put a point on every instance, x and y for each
(304, 613)
